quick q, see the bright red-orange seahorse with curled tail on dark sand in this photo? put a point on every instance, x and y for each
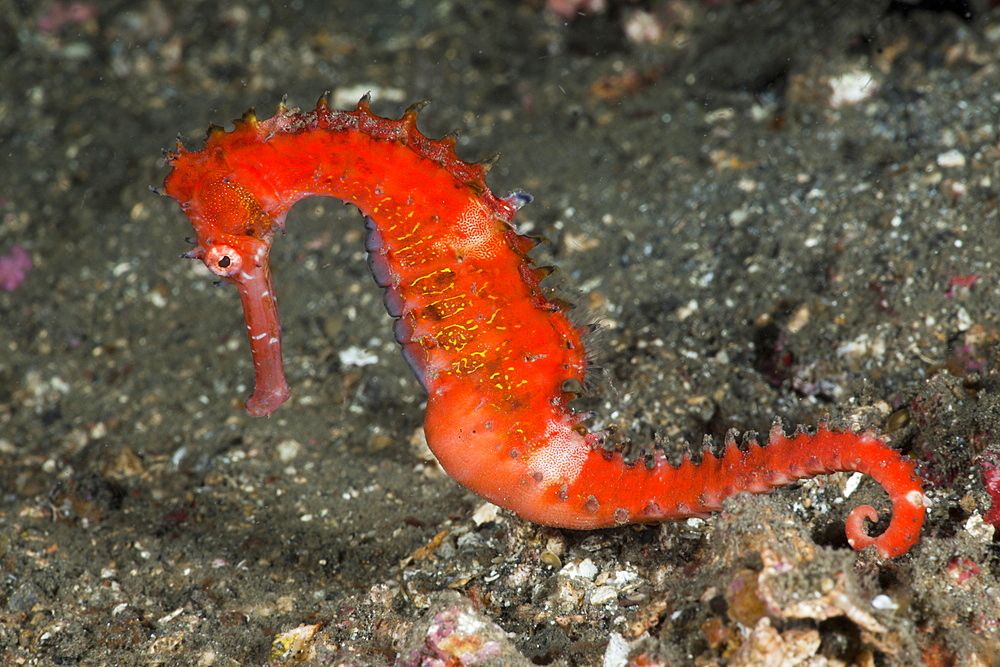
(498, 356)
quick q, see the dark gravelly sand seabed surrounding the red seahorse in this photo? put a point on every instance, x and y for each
(752, 249)
